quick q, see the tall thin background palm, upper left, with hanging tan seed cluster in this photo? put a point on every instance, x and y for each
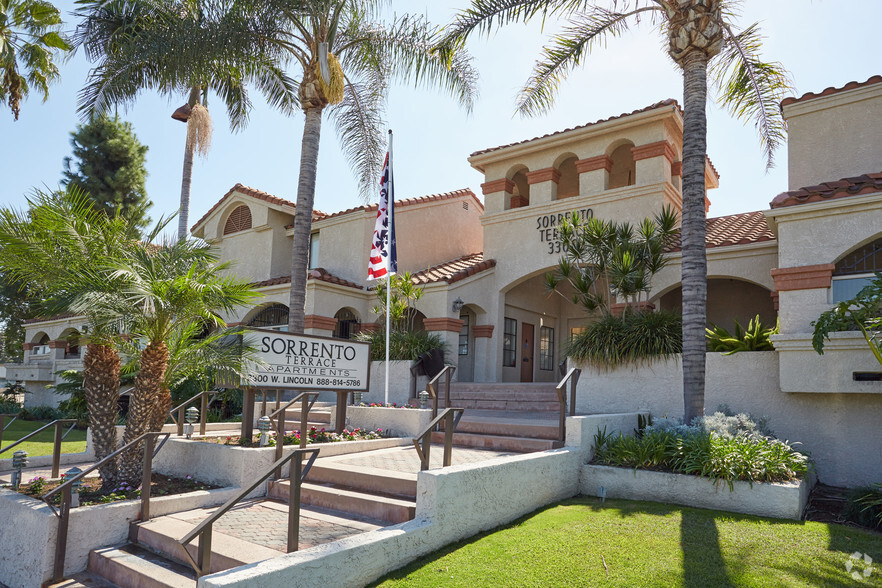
(178, 47)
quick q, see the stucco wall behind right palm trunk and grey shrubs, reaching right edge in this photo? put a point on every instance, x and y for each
(840, 431)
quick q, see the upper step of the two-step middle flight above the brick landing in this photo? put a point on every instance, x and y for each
(364, 479)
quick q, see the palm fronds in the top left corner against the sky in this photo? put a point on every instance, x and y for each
(29, 38)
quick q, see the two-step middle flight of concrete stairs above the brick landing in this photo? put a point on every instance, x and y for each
(381, 495)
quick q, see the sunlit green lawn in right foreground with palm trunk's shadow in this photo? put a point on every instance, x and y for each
(646, 544)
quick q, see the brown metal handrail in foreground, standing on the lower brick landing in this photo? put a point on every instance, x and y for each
(202, 564)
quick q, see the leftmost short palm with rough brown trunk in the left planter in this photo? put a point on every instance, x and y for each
(59, 247)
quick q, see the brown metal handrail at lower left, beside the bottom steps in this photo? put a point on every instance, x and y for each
(63, 514)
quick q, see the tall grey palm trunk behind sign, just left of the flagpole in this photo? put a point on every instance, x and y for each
(312, 130)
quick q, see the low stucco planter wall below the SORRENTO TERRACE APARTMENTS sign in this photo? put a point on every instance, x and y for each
(230, 465)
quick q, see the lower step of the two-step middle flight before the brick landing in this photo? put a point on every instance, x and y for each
(384, 508)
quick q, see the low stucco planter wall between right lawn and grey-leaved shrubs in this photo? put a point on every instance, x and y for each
(783, 501)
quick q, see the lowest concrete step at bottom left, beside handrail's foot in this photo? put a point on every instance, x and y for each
(135, 567)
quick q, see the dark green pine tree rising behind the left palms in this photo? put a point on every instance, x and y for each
(108, 164)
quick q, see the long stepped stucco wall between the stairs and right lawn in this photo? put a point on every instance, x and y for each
(452, 504)
